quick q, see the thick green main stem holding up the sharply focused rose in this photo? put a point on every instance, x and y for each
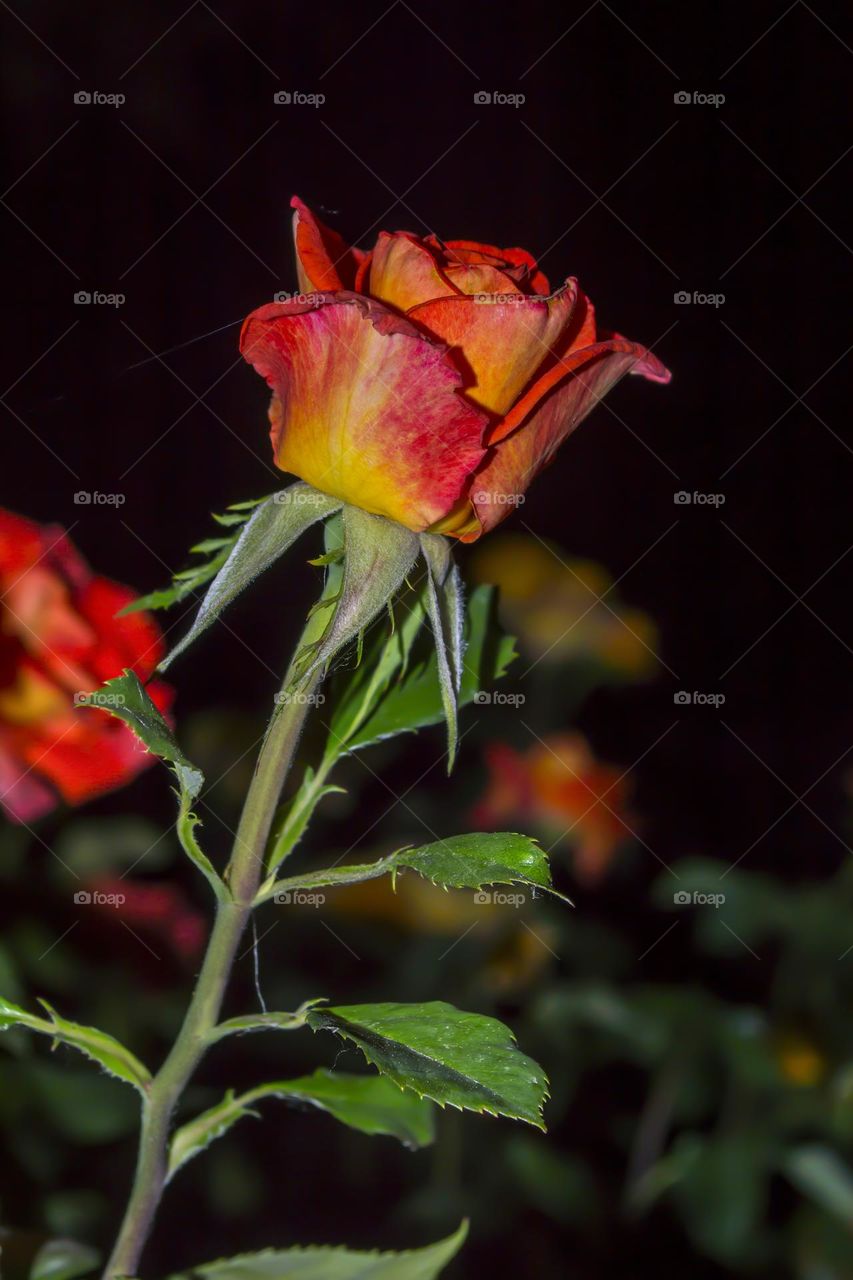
(245, 874)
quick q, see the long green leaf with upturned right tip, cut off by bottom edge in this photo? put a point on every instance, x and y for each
(318, 1263)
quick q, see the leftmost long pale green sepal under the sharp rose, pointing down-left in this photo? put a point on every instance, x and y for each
(273, 527)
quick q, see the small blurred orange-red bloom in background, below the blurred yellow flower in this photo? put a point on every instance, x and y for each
(559, 788)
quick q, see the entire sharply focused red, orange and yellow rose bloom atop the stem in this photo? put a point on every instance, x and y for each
(428, 381)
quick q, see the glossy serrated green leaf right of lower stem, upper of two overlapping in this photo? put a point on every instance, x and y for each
(458, 1059)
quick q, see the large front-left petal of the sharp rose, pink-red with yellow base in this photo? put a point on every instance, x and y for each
(367, 409)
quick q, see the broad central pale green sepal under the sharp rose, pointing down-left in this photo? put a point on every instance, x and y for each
(378, 556)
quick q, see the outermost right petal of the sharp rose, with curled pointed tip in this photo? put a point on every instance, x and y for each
(585, 378)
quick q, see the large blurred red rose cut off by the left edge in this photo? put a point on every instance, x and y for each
(60, 638)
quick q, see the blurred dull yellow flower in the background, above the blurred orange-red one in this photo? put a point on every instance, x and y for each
(554, 604)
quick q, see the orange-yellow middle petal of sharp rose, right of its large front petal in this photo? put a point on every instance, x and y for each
(501, 344)
